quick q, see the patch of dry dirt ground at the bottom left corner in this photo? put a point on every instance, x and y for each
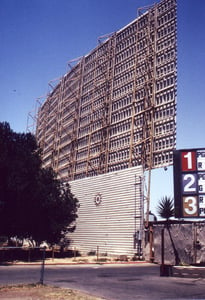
(41, 292)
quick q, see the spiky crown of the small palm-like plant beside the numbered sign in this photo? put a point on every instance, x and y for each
(165, 208)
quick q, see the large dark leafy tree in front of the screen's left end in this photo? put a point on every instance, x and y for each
(33, 203)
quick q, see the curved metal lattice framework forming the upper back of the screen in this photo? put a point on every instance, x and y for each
(116, 107)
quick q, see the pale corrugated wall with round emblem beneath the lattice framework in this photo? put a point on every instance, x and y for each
(110, 212)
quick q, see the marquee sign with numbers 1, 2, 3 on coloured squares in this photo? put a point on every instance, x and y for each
(189, 183)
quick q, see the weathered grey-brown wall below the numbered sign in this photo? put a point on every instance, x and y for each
(188, 240)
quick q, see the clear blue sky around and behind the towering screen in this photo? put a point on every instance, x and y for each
(39, 37)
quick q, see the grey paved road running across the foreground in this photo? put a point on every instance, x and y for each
(113, 282)
